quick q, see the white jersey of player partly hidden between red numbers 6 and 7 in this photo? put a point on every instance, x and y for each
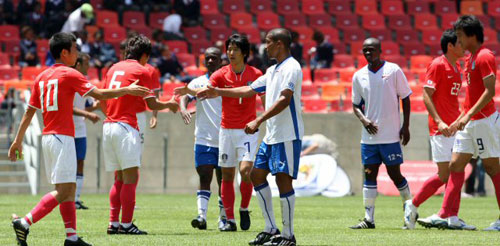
(208, 116)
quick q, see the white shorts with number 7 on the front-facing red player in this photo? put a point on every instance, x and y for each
(235, 146)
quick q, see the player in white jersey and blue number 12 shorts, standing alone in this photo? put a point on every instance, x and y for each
(376, 89)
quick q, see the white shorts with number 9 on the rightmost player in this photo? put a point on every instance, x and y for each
(479, 138)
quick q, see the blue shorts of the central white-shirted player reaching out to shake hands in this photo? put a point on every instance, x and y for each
(279, 158)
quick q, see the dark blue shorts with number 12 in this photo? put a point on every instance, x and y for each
(389, 154)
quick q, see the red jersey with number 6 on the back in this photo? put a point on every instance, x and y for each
(122, 74)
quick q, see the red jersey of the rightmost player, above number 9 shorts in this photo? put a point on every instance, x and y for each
(477, 67)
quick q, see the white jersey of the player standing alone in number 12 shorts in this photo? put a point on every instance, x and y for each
(380, 92)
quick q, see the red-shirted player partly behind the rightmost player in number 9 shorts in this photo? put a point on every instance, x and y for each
(441, 90)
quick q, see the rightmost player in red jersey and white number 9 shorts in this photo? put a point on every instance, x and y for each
(478, 125)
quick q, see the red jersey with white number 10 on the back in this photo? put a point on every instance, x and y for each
(53, 93)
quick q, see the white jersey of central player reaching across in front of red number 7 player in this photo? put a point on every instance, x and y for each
(287, 125)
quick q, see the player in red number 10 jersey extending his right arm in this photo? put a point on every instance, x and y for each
(53, 93)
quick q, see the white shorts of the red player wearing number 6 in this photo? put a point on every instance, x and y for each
(122, 146)
